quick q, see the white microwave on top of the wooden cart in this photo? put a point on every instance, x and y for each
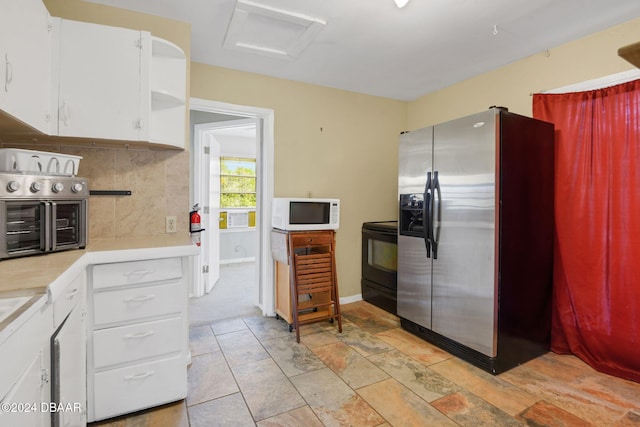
(292, 214)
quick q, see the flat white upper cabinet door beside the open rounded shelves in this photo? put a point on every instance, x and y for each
(100, 81)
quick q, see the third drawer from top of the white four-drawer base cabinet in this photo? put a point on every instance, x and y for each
(134, 342)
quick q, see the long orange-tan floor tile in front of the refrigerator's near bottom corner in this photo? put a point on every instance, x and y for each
(494, 390)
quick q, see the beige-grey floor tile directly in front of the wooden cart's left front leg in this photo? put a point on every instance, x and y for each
(291, 357)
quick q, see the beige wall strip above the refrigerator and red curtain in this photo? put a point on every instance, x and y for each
(511, 86)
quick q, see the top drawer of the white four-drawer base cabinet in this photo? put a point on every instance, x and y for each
(136, 272)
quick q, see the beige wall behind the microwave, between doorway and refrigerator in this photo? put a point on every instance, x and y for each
(328, 143)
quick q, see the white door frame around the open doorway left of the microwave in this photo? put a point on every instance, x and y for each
(265, 162)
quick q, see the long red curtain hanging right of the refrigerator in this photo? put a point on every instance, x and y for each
(596, 308)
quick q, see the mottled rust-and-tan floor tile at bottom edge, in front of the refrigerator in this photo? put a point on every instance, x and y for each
(470, 411)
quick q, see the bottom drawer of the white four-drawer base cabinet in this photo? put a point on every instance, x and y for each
(133, 388)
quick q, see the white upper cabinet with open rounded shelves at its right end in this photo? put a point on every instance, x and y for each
(118, 84)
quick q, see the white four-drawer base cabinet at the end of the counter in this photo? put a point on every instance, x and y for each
(137, 336)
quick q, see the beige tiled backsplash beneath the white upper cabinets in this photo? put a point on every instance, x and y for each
(158, 181)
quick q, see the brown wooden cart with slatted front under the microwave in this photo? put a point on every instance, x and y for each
(306, 278)
